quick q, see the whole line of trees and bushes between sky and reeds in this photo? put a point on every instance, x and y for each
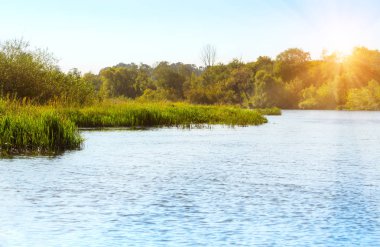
(292, 80)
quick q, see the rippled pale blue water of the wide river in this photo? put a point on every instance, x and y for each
(307, 178)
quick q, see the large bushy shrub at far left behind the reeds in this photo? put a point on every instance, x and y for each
(33, 74)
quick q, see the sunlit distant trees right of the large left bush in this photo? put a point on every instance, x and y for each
(291, 81)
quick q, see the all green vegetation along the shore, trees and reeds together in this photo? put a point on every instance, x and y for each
(41, 107)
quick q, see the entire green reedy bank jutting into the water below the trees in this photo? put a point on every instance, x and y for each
(25, 128)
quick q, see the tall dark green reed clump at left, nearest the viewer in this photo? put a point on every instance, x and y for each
(37, 133)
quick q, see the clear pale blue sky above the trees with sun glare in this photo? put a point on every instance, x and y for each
(92, 34)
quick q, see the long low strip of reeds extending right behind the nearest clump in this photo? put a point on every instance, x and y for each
(137, 114)
